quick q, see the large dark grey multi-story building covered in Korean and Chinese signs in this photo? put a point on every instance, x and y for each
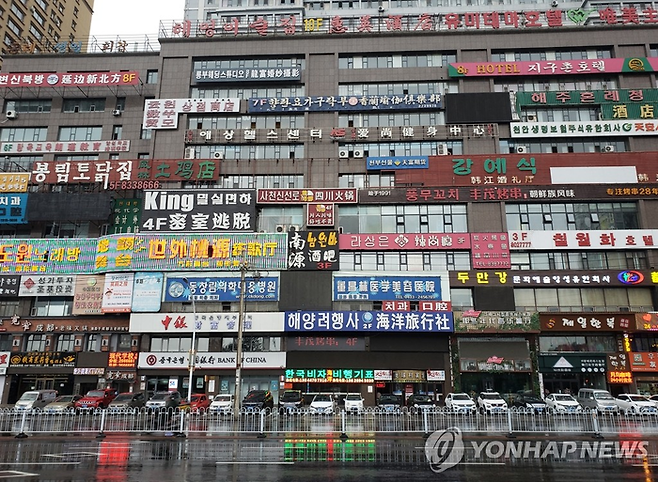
(418, 204)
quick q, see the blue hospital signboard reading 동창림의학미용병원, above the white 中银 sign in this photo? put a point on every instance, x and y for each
(221, 289)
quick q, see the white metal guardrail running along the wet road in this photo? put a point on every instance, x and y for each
(371, 421)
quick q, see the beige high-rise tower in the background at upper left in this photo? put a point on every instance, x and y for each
(34, 26)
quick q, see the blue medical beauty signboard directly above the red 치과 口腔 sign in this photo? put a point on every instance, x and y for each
(387, 288)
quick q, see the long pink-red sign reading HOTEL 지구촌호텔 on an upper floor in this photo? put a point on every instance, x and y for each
(553, 67)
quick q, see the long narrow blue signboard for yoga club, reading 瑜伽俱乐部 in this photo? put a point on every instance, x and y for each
(345, 103)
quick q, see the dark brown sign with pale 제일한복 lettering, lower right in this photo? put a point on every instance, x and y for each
(586, 322)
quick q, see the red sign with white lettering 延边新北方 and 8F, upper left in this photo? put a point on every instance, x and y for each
(80, 79)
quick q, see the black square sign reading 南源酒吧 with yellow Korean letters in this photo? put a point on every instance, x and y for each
(313, 250)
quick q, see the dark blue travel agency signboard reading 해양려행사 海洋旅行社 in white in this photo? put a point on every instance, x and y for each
(370, 321)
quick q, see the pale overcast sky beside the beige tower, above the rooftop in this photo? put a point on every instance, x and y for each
(133, 18)
